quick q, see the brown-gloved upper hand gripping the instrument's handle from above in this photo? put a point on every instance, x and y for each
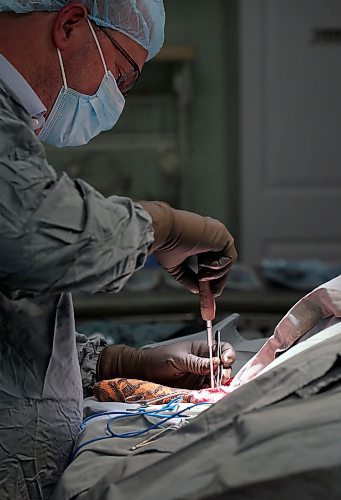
(179, 235)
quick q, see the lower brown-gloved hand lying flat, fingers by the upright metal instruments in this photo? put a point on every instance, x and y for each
(182, 364)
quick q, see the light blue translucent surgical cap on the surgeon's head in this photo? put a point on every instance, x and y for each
(141, 20)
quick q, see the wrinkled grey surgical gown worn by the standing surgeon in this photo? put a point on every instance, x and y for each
(57, 235)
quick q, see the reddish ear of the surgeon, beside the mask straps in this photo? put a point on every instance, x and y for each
(71, 20)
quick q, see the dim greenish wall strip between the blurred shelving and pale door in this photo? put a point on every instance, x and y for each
(212, 177)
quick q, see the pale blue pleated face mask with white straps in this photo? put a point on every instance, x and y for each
(76, 118)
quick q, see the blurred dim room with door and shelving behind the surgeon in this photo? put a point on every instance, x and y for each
(239, 118)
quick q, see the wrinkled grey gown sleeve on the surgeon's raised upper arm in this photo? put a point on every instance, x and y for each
(59, 234)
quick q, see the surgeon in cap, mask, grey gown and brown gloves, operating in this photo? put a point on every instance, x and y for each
(66, 69)
